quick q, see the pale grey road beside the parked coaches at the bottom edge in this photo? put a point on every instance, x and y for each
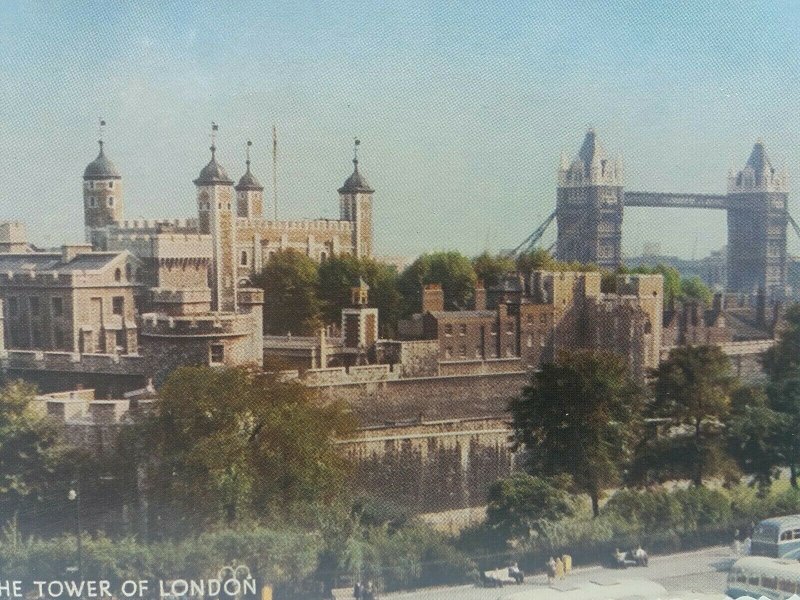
(699, 571)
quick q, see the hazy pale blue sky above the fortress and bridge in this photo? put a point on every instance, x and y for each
(463, 108)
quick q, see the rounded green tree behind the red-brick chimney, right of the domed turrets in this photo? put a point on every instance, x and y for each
(452, 270)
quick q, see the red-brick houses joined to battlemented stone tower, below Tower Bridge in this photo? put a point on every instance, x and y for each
(530, 320)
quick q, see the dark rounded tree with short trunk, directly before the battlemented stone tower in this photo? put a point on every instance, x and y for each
(580, 416)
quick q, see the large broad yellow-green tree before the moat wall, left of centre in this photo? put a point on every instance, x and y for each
(225, 444)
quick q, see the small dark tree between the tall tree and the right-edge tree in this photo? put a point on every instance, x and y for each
(753, 436)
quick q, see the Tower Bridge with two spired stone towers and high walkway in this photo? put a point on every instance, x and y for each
(591, 199)
